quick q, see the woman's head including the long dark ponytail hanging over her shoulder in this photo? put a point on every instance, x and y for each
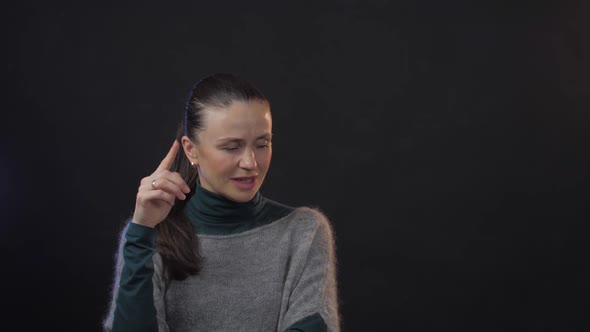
(226, 139)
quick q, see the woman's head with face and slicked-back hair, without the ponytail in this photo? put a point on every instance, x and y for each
(227, 134)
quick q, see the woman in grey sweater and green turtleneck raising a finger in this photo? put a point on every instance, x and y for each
(204, 250)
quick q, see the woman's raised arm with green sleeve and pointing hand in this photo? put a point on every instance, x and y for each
(132, 307)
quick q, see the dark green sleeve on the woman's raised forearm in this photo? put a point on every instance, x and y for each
(135, 309)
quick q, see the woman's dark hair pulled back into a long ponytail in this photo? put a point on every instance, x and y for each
(176, 239)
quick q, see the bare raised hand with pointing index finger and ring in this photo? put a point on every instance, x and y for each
(158, 191)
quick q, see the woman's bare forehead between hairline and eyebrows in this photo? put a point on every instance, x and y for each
(240, 120)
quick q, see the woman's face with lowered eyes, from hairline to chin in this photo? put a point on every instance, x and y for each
(234, 149)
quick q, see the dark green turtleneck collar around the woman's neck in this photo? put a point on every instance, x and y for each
(214, 214)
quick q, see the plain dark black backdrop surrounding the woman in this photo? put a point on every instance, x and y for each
(447, 141)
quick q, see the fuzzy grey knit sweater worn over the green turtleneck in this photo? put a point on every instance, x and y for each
(267, 278)
